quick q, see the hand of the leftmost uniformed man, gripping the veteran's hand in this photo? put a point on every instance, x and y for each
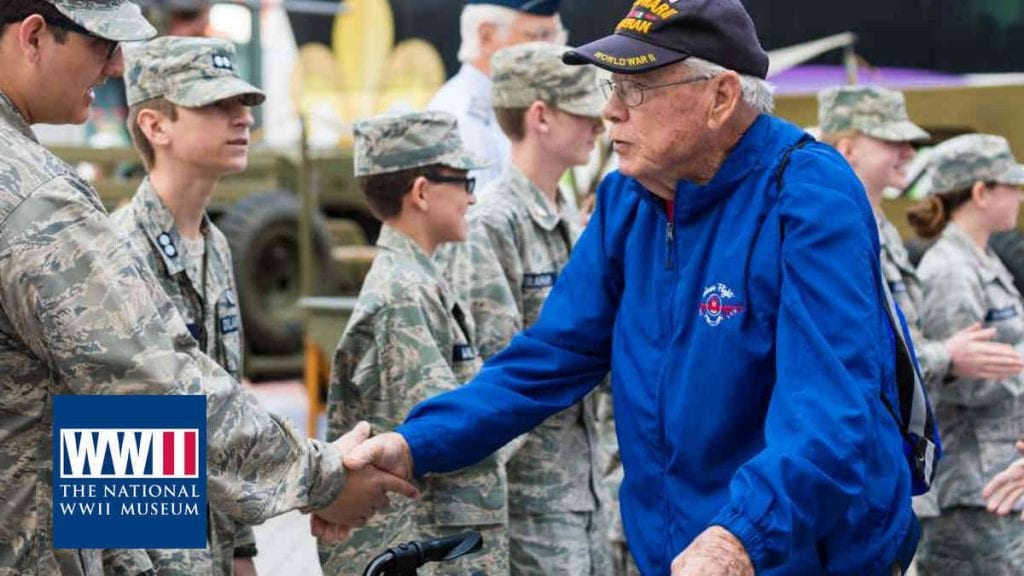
(365, 492)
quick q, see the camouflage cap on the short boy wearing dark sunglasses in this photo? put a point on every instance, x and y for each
(390, 144)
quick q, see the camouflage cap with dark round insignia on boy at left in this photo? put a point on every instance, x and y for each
(188, 72)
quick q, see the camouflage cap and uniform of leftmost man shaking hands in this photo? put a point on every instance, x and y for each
(81, 313)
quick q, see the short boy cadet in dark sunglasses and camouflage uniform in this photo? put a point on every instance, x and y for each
(409, 339)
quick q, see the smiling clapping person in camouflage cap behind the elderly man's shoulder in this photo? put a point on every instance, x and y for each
(871, 129)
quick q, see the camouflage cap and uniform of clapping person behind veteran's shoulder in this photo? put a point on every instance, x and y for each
(880, 113)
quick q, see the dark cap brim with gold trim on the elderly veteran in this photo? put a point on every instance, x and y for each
(624, 55)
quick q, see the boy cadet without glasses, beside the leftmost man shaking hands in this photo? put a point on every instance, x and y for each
(189, 117)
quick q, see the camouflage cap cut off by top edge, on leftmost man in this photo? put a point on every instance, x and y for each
(114, 20)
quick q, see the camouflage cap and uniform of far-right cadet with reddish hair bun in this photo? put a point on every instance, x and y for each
(980, 419)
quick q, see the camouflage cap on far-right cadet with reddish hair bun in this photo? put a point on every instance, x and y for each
(958, 163)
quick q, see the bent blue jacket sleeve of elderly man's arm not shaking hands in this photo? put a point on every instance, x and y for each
(821, 419)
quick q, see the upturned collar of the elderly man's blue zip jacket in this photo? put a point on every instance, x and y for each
(693, 198)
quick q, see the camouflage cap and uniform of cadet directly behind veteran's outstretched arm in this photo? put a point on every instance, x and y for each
(556, 523)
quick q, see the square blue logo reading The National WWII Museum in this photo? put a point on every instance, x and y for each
(130, 472)
